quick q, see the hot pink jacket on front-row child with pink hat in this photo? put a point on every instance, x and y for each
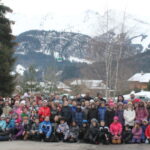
(116, 128)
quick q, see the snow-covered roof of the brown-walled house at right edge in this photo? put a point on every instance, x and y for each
(140, 77)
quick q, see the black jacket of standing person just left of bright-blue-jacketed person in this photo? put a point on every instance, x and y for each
(92, 113)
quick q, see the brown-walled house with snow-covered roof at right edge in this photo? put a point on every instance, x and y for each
(139, 80)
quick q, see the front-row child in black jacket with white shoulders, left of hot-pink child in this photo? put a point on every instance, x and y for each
(104, 133)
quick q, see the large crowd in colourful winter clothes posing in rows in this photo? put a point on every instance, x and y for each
(82, 119)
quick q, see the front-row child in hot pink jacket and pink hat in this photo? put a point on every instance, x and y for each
(116, 131)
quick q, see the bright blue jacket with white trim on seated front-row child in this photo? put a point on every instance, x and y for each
(46, 128)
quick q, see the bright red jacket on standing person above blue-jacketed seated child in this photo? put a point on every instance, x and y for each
(44, 112)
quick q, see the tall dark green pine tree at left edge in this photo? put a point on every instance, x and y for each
(7, 59)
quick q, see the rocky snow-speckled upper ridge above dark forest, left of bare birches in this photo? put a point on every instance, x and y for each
(57, 44)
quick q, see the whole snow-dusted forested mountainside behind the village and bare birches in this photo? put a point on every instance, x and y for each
(67, 52)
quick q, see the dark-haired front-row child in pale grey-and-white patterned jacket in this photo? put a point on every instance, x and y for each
(63, 130)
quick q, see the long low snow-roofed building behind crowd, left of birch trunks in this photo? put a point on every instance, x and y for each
(90, 84)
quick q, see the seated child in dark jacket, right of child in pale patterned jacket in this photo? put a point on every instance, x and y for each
(73, 132)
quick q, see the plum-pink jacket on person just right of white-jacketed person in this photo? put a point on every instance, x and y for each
(141, 113)
